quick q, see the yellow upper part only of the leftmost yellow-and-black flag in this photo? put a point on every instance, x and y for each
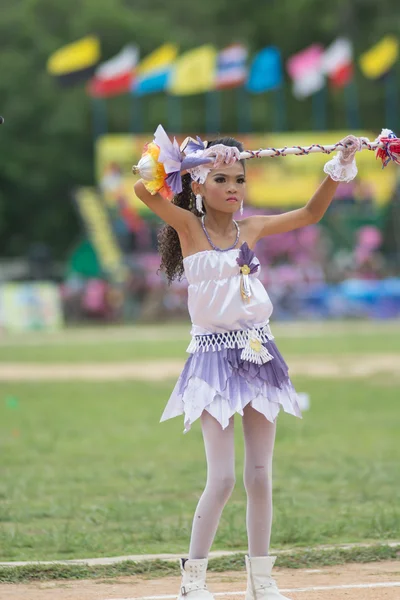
(79, 56)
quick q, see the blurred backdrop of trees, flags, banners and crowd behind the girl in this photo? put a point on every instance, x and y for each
(82, 95)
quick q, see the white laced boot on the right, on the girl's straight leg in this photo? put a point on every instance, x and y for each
(260, 585)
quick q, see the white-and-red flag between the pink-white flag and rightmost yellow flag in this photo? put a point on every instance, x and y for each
(337, 62)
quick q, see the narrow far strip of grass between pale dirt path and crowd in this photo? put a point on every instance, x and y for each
(144, 343)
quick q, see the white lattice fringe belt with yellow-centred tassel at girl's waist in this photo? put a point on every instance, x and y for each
(251, 340)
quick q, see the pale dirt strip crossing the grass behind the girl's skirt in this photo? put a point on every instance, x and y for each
(310, 366)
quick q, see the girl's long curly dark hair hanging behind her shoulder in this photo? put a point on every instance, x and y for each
(168, 241)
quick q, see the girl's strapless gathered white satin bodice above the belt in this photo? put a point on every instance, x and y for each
(214, 300)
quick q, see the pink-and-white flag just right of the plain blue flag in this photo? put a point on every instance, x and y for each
(305, 68)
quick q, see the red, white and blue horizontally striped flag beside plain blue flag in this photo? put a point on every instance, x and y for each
(231, 67)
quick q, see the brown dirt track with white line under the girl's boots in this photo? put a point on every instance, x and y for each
(327, 583)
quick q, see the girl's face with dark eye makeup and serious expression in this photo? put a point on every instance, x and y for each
(224, 188)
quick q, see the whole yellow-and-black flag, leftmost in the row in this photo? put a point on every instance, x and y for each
(75, 62)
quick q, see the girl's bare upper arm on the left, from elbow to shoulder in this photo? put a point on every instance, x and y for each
(180, 219)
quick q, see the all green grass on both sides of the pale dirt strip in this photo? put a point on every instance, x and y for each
(88, 470)
